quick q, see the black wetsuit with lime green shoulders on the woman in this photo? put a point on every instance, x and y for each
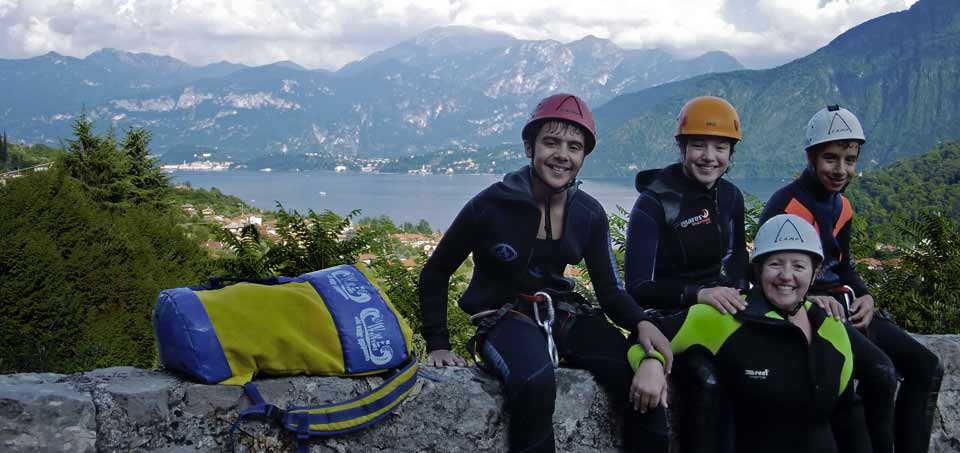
(787, 395)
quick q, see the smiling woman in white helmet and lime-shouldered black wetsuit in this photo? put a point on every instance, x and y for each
(786, 364)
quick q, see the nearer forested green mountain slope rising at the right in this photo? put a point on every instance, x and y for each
(899, 73)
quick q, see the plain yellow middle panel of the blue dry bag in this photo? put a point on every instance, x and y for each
(285, 344)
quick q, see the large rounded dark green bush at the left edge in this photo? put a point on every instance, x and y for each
(77, 281)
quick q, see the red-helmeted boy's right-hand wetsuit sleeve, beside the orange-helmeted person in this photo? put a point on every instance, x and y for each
(601, 264)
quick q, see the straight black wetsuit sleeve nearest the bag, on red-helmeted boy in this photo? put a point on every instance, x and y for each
(452, 250)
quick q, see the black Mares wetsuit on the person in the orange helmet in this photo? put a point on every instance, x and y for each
(683, 237)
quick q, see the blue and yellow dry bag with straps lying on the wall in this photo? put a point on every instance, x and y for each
(332, 322)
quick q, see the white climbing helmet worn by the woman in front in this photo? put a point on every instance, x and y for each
(786, 233)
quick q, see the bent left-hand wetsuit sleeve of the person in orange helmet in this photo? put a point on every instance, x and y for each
(643, 240)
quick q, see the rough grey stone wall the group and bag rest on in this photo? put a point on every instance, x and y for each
(128, 409)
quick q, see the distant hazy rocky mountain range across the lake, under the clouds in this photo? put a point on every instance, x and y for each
(448, 87)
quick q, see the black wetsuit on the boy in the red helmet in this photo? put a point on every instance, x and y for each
(499, 227)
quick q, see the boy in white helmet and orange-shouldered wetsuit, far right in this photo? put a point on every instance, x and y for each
(834, 138)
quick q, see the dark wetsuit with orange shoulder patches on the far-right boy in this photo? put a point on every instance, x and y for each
(910, 424)
